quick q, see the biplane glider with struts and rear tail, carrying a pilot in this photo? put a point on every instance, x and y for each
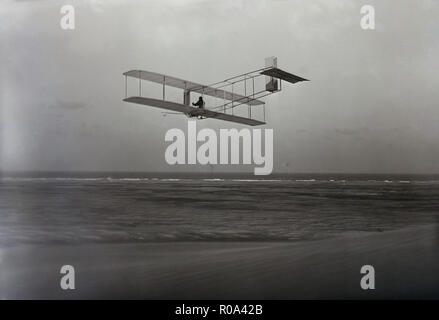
(241, 90)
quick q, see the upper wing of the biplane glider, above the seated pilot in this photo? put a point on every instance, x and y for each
(191, 86)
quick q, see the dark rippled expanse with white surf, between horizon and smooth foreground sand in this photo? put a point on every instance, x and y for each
(176, 207)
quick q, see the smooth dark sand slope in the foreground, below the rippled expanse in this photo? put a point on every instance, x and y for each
(406, 263)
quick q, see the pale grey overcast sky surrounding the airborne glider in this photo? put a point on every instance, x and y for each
(372, 104)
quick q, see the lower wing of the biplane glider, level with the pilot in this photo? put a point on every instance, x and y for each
(192, 111)
